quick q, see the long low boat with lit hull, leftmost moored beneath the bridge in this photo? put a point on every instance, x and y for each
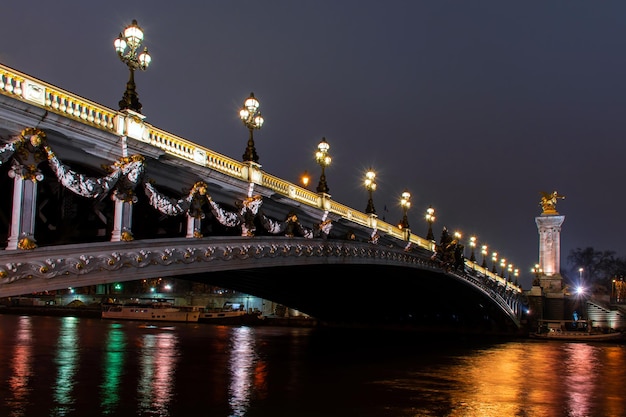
(158, 309)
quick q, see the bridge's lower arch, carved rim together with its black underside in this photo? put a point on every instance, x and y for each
(345, 281)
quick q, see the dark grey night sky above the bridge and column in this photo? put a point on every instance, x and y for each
(474, 107)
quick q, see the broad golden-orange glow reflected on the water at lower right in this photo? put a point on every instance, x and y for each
(525, 379)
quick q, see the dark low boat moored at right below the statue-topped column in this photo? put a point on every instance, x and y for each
(574, 331)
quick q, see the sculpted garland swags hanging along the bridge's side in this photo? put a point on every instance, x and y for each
(122, 180)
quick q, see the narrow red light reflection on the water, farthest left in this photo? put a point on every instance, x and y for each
(22, 367)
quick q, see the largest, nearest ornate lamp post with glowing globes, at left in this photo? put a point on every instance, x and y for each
(126, 46)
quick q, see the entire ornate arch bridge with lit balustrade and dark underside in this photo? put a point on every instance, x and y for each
(95, 201)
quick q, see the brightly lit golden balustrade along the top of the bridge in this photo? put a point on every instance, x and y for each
(26, 88)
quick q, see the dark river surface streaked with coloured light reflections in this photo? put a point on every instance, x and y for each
(68, 366)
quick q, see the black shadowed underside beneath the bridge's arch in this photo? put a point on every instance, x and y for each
(371, 296)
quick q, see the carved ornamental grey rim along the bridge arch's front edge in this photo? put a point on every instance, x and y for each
(51, 262)
